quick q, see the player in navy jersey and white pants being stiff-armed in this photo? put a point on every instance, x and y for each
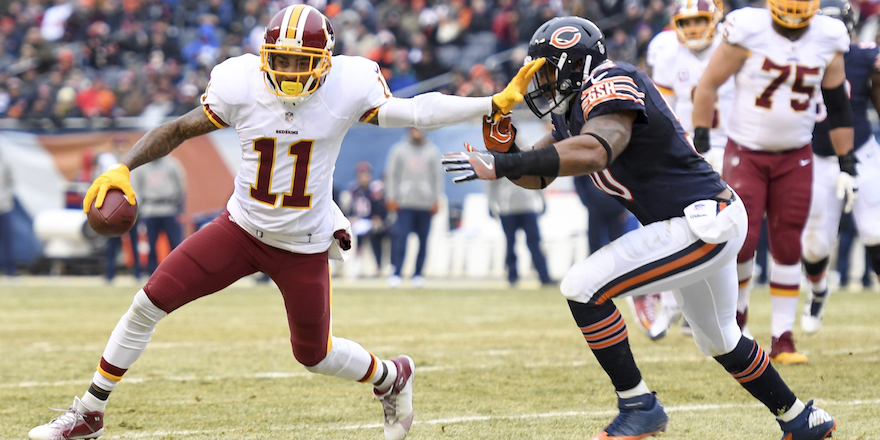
(612, 123)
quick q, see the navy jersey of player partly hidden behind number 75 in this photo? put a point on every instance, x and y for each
(859, 65)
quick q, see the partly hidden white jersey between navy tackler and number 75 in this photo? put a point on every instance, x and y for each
(676, 70)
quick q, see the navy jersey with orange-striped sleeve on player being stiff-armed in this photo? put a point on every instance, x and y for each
(659, 173)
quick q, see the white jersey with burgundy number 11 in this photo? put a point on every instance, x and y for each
(283, 189)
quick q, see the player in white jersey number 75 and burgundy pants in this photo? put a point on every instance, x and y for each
(780, 58)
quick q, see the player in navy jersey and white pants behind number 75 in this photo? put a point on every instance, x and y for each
(862, 65)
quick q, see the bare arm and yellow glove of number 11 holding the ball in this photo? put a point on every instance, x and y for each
(156, 143)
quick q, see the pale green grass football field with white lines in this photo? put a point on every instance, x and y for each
(491, 363)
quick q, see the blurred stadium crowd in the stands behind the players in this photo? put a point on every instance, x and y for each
(62, 59)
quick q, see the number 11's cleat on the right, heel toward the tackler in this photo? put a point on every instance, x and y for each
(397, 401)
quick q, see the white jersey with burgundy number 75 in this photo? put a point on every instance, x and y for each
(780, 78)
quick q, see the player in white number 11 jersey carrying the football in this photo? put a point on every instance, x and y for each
(291, 106)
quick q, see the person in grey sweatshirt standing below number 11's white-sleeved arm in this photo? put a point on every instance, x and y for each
(413, 187)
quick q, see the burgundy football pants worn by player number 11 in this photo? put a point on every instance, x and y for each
(222, 253)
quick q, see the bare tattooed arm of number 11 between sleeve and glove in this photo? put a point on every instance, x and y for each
(163, 139)
